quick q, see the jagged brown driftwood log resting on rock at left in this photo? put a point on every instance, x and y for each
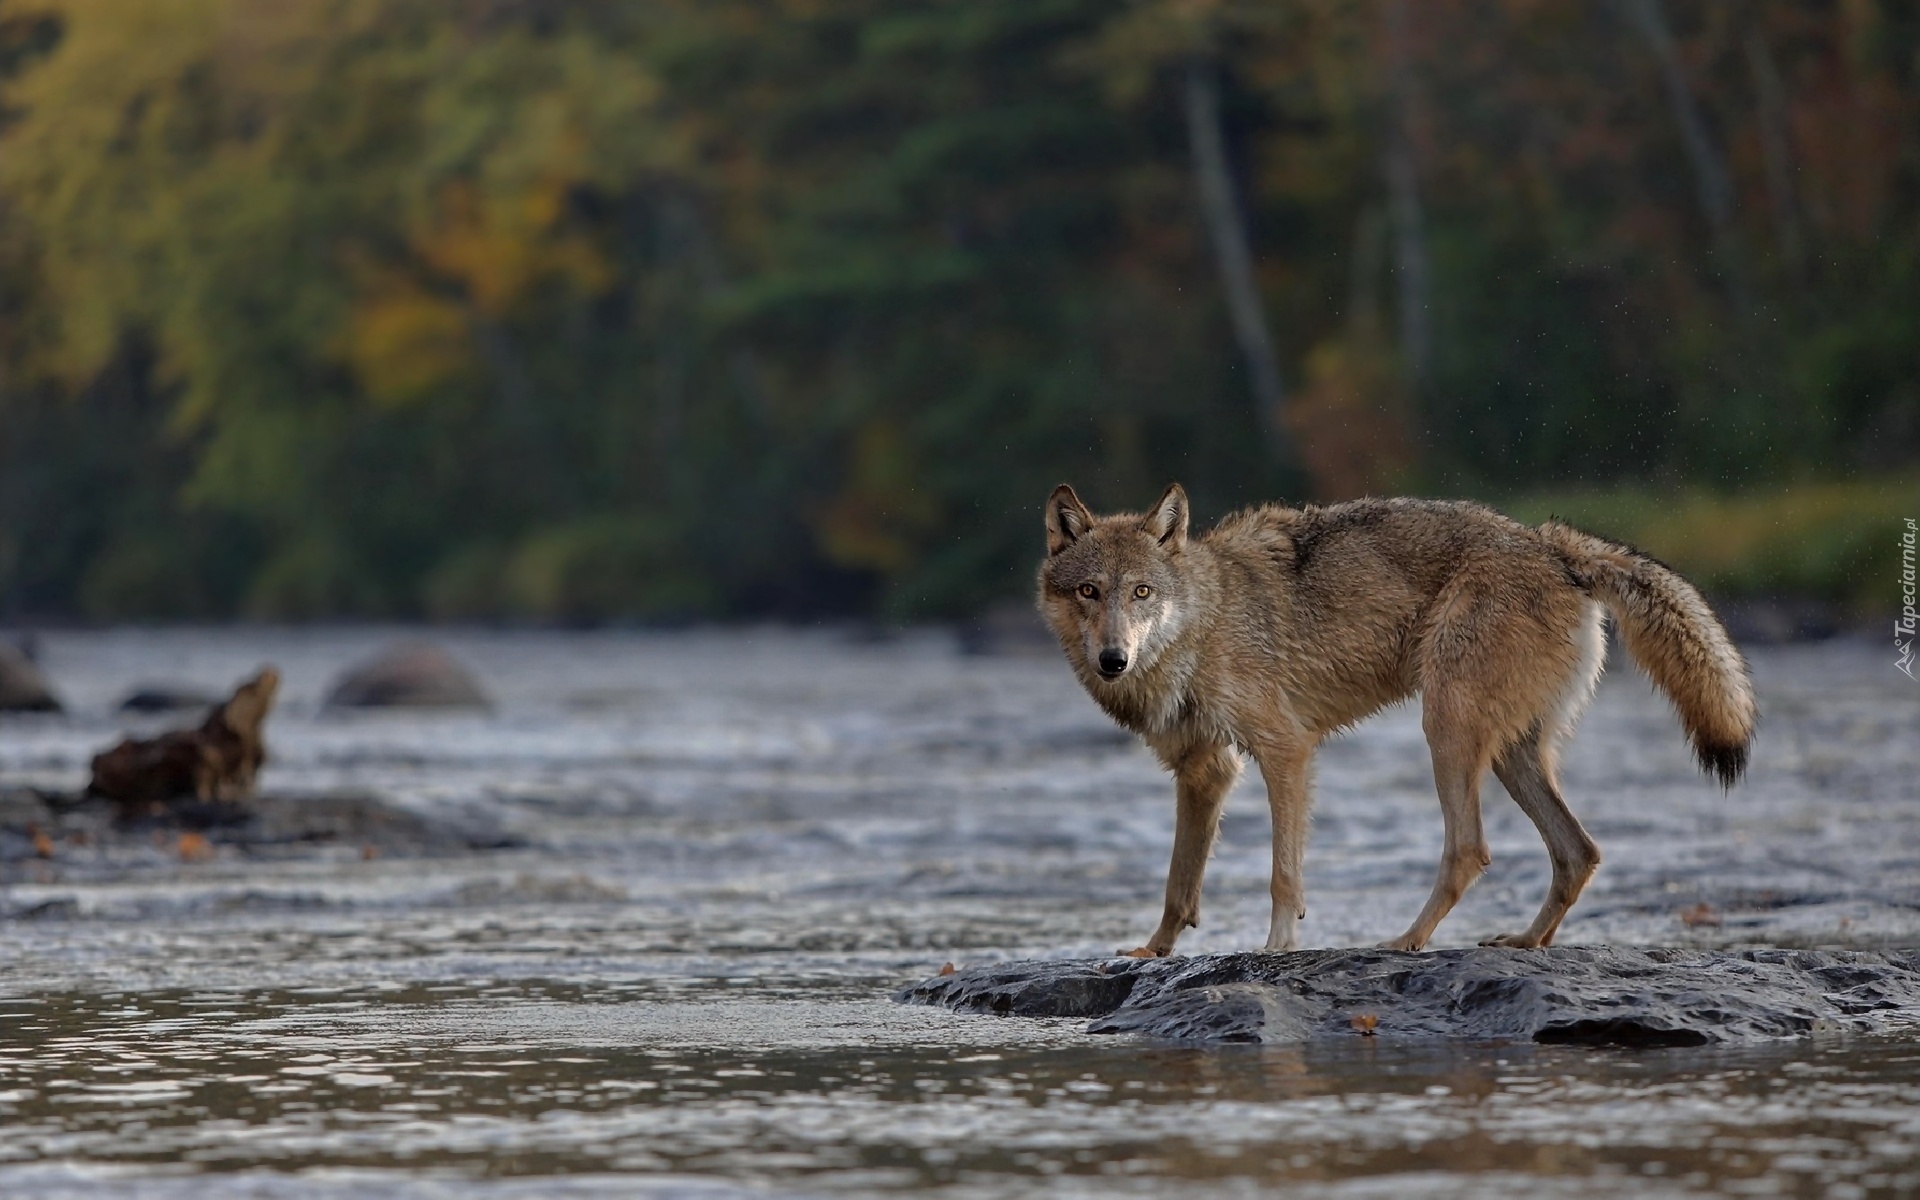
(216, 761)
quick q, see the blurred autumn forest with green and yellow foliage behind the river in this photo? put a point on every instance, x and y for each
(567, 310)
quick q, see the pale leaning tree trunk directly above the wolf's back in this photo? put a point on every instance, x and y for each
(1232, 251)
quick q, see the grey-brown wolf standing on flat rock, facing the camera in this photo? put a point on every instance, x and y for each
(1284, 627)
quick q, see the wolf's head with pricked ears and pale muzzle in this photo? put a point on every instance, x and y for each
(1113, 587)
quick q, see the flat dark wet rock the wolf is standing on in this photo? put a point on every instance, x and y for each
(1593, 996)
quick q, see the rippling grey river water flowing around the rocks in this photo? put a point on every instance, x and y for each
(731, 848)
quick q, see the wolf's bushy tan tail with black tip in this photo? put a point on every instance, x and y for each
(1677, 640)
